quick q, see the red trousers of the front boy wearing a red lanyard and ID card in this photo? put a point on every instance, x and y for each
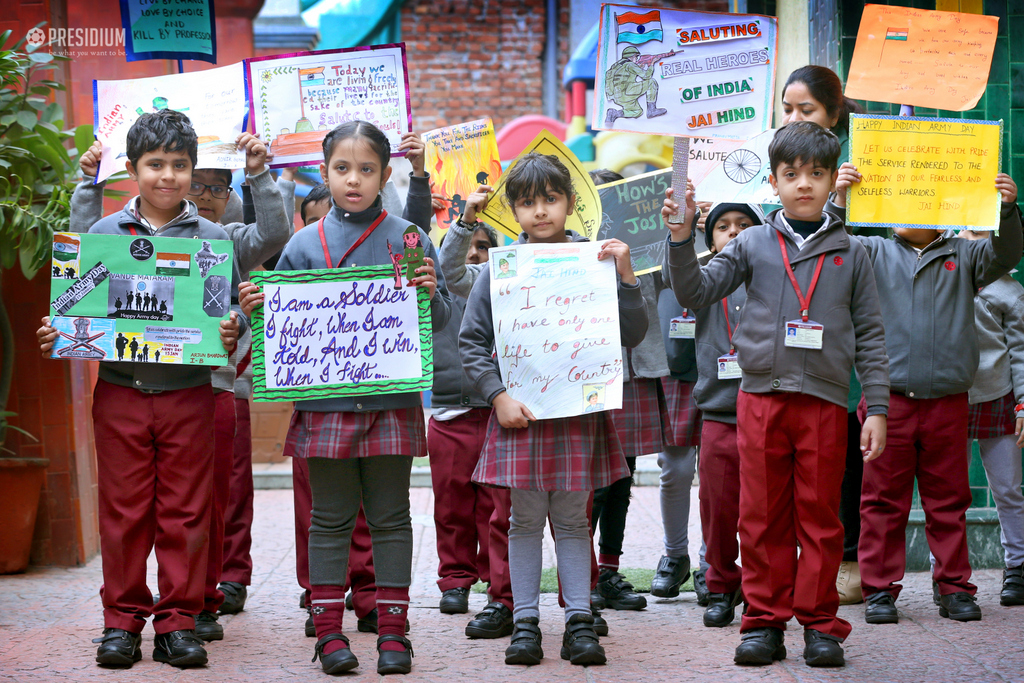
(792, 459)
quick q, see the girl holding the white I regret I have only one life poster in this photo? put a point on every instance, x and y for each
(535, 460)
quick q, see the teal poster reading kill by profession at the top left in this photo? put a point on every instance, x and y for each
(169, 30)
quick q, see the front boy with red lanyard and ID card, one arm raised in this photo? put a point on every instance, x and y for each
(800, 268)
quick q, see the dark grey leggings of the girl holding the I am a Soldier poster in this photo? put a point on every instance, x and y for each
(380, 484)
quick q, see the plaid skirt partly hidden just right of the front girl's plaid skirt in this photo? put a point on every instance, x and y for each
(643, 424)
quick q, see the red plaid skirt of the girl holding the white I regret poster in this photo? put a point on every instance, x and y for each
(566, 454)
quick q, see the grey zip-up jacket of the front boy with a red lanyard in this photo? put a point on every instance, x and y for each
(846, 303)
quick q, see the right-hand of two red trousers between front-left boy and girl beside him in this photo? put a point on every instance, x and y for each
(238, 565)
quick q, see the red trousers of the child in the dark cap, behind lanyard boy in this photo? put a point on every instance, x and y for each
(719, 465)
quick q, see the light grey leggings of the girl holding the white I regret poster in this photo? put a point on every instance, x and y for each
(569, 517)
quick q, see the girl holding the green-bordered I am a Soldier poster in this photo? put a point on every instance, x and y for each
(359, 448)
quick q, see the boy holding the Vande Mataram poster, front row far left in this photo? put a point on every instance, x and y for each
(167, 438)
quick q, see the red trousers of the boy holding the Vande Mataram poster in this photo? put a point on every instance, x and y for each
(155, 474)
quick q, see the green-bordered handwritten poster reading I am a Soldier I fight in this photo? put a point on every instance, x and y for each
(329, 333)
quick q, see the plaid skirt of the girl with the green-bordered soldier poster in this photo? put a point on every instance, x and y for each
(339, 436)
